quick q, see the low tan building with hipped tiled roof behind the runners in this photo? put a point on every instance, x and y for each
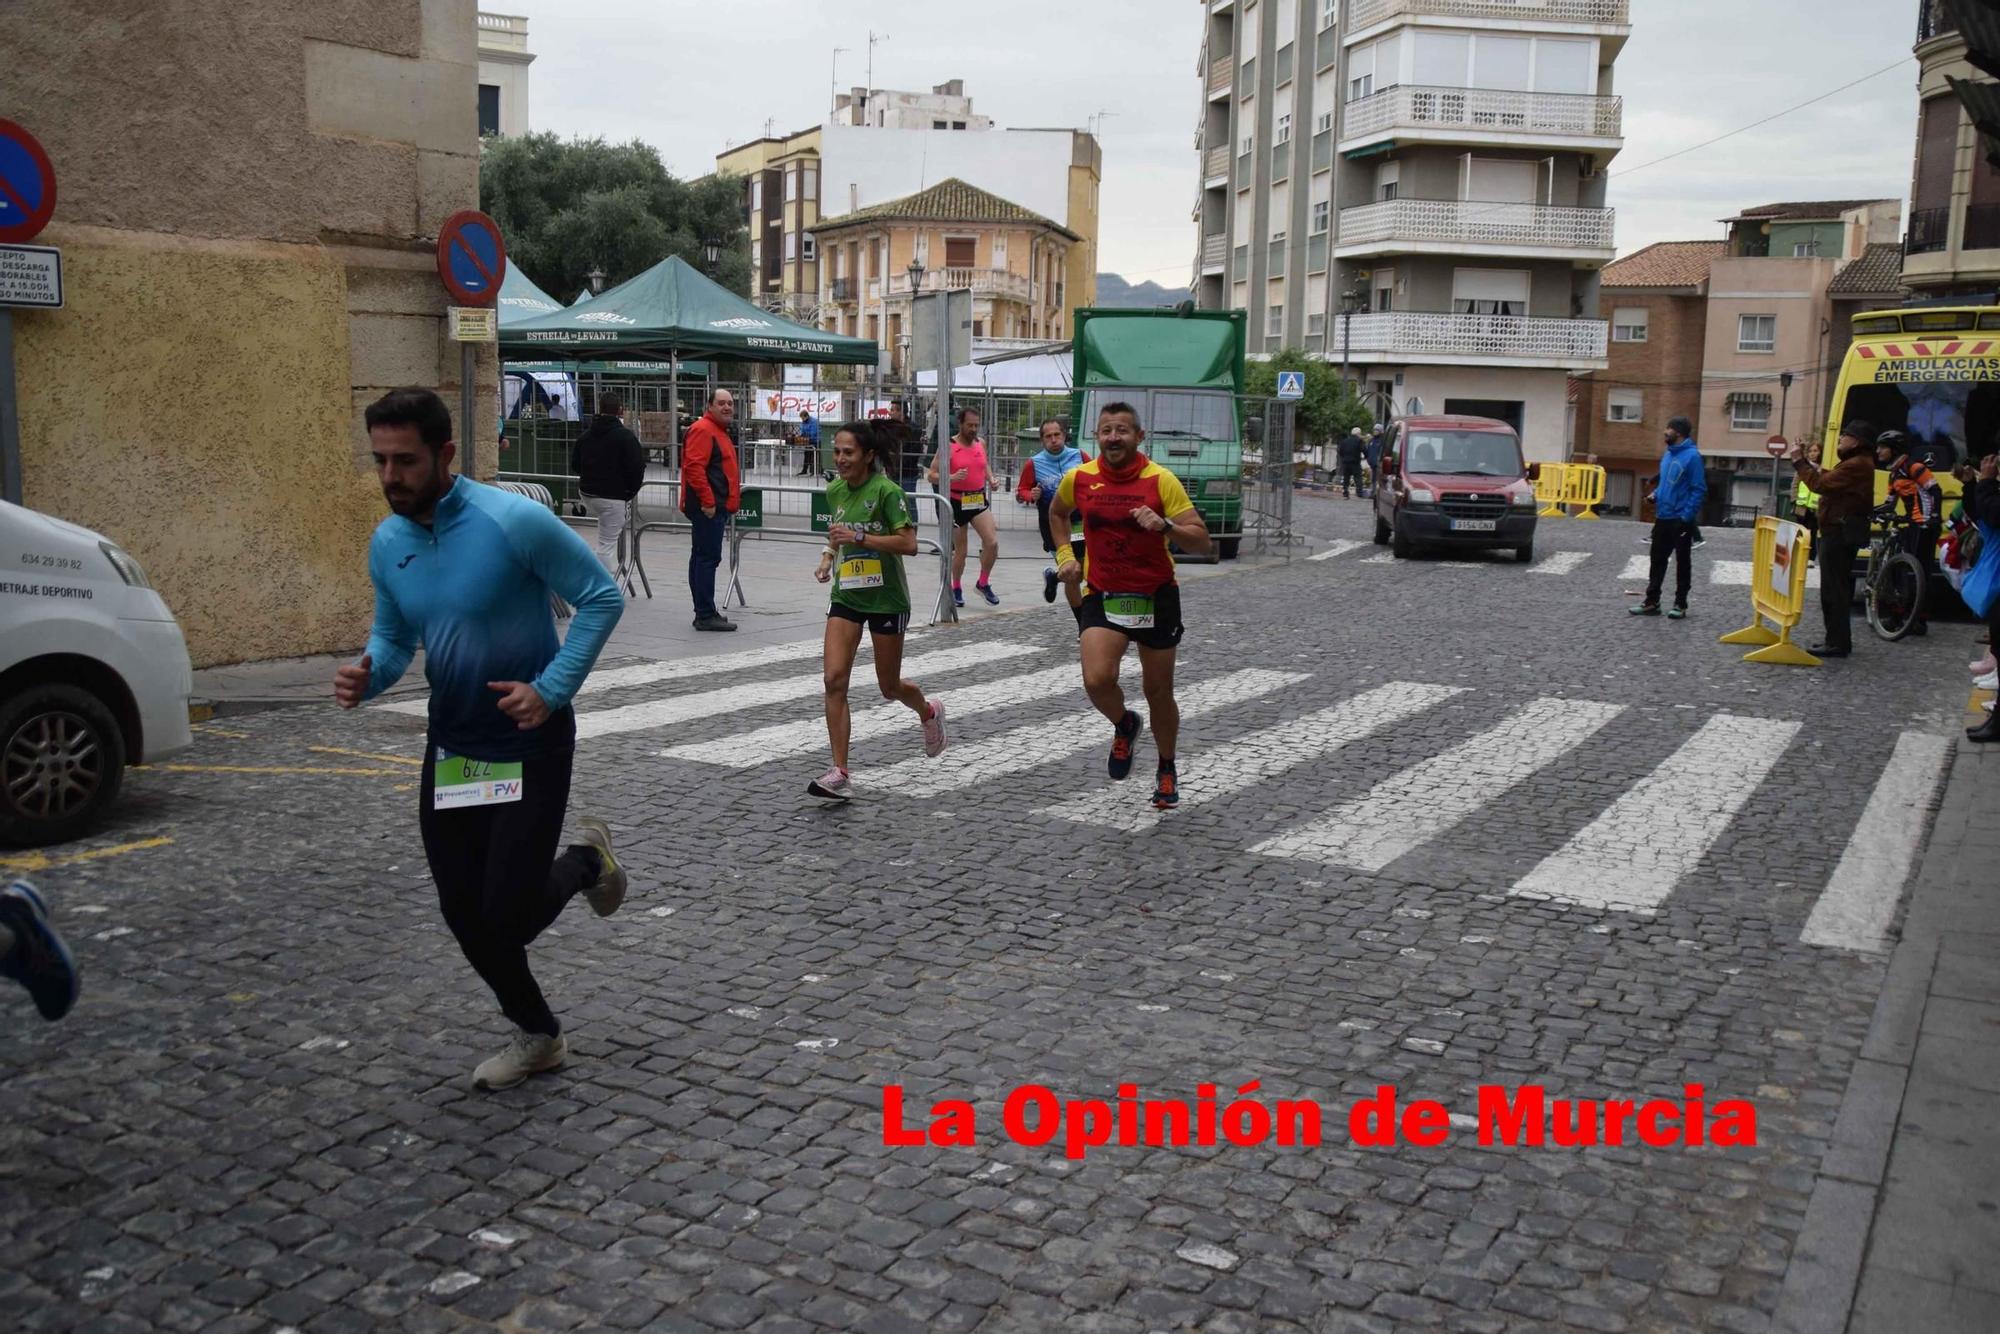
(1011, 259)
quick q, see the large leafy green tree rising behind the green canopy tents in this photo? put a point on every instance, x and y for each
(571, 207)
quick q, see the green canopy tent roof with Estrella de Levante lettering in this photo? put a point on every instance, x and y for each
(673, 311)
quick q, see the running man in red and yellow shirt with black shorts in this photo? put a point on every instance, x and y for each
(1131, 511)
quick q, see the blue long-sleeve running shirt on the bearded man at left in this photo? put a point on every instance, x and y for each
(473, 587)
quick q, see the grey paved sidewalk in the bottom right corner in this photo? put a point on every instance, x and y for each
(1905, 1223)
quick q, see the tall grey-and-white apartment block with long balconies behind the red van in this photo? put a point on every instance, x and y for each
(1415, 191)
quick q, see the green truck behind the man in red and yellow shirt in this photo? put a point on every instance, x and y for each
(1185, 373)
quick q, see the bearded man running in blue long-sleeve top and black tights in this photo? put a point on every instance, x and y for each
(467, 571)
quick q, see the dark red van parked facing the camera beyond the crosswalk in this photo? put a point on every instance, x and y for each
(1455, 481)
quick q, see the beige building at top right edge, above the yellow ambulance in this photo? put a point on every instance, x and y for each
(1953, 243)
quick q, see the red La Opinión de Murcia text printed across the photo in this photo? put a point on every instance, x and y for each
(1521, 1117)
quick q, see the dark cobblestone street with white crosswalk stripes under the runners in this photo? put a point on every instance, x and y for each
(1445, 823)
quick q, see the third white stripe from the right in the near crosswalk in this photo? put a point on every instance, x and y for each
(1431, 799)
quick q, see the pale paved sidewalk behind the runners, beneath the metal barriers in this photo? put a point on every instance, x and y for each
(785, 607)
